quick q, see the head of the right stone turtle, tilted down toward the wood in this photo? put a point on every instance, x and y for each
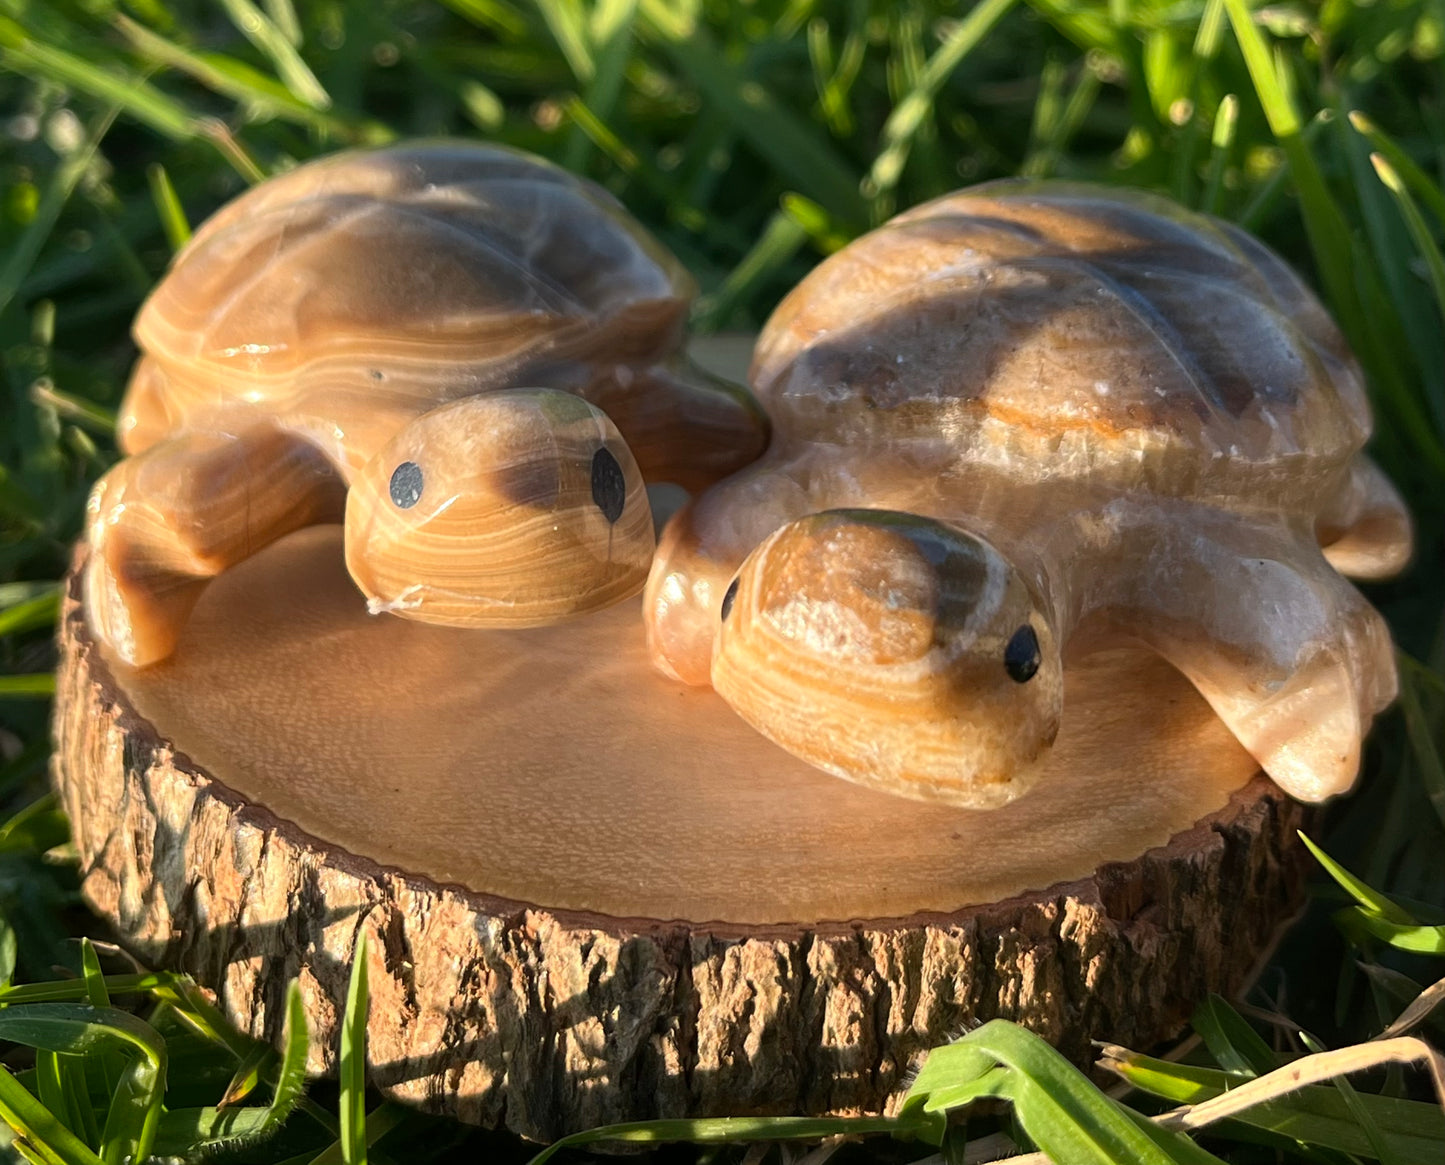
(894, 651)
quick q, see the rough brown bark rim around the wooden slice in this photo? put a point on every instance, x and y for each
(547, 1021)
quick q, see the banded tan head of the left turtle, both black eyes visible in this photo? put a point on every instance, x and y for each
(506, 510)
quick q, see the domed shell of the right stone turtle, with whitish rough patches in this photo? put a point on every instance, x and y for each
(1066, 332)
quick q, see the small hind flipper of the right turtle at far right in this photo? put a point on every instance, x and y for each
(1365, 527)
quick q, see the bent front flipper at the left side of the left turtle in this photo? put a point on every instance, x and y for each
(165, 523)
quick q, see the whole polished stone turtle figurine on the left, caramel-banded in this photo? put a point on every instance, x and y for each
(469, 355)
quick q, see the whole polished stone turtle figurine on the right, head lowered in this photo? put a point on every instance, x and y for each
(1025, 421)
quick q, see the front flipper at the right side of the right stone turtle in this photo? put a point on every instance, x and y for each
(1291, 657)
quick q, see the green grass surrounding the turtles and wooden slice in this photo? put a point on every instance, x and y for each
(754, 139)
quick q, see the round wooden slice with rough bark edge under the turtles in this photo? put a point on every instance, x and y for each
(595, 895)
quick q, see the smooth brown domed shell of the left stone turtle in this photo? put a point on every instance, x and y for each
(417, 272)
